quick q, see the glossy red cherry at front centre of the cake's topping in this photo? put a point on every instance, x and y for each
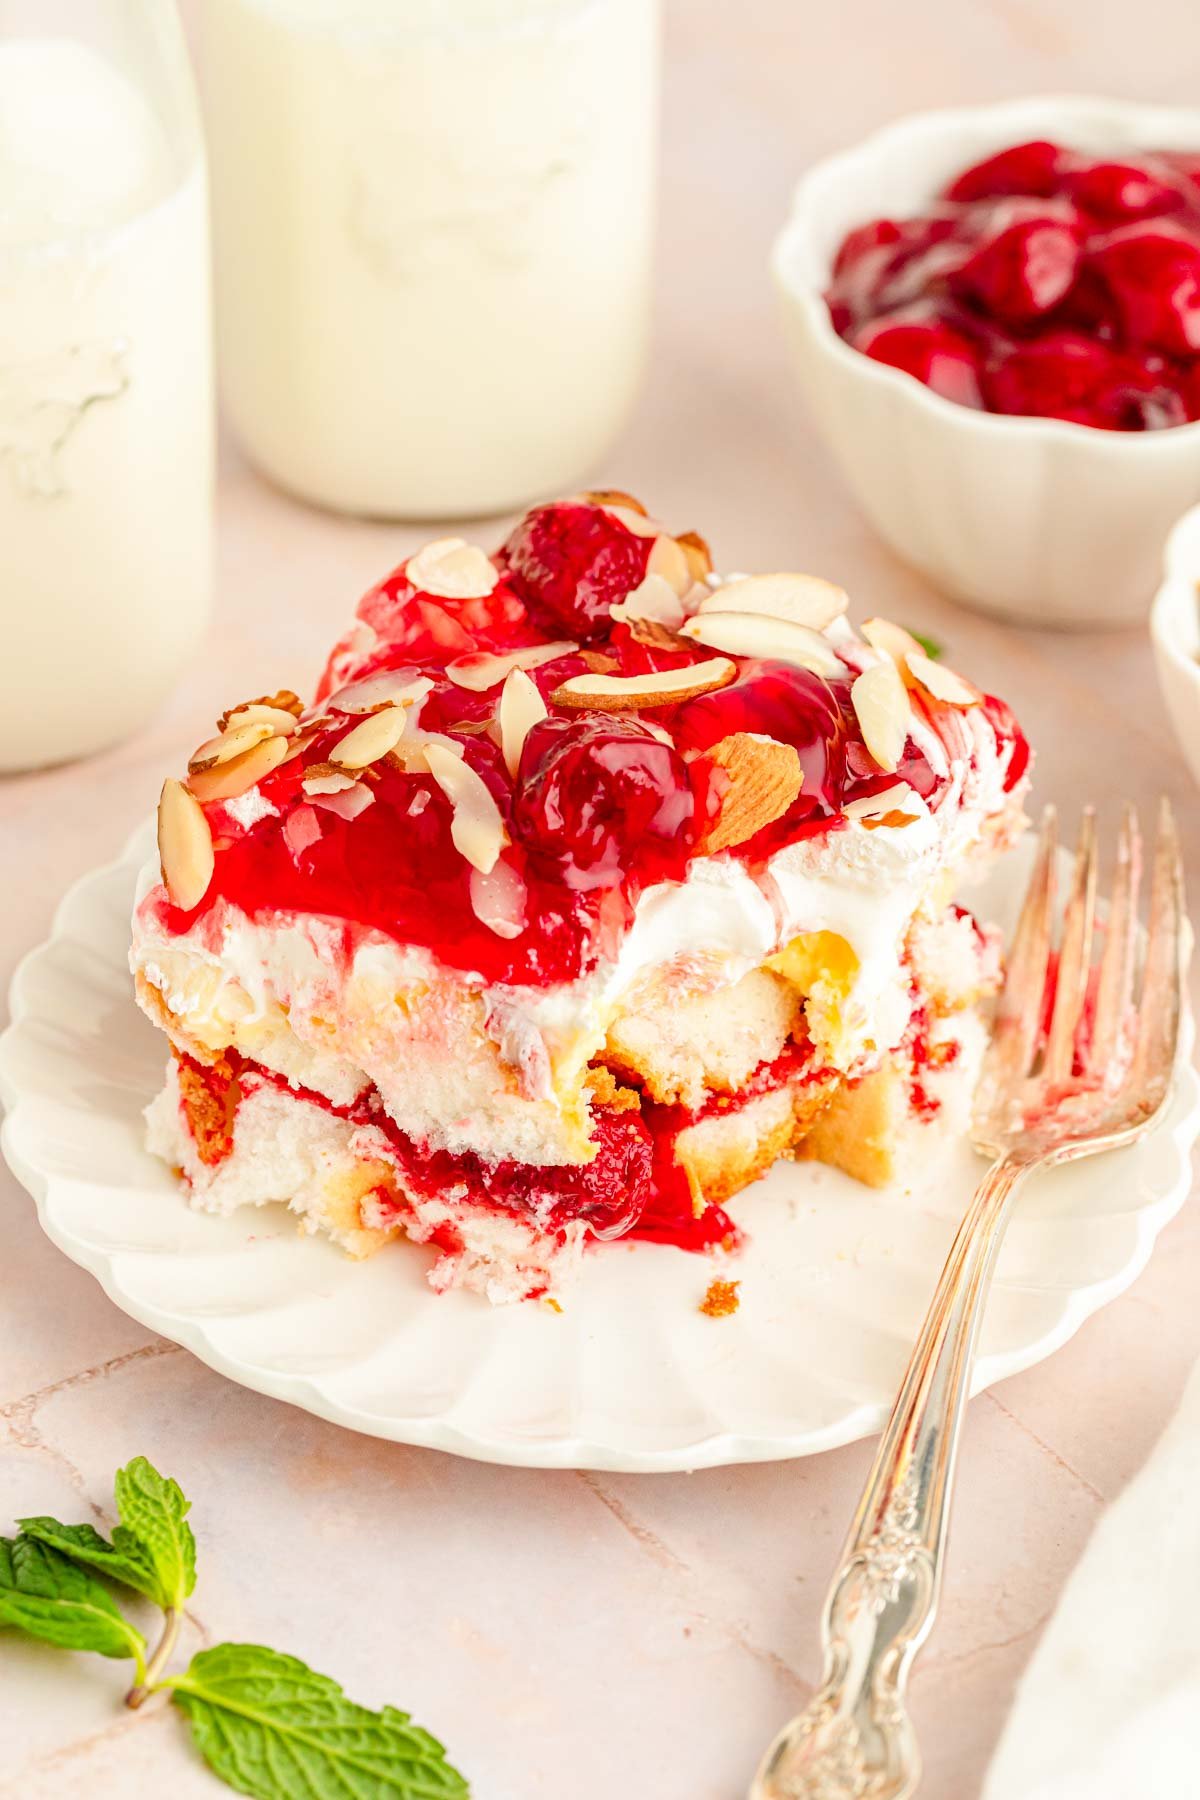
(604, 796)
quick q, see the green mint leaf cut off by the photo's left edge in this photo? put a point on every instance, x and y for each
(49, 1597)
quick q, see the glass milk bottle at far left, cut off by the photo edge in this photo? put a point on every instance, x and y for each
(105, 373)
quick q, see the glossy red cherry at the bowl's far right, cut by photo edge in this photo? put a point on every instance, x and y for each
(1154, 276)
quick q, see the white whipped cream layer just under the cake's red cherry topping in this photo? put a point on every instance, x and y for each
(499, 1070)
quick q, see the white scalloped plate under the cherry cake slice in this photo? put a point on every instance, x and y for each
(631, 1376)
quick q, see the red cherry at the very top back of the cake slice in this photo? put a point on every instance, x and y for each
(571, 562)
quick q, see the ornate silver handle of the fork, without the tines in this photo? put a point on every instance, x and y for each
(884, 1596)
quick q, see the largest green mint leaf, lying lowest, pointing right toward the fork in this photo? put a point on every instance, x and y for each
(274, 1729)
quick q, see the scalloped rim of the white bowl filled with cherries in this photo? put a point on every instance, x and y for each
(884, 143)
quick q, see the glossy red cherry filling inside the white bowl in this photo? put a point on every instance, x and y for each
(1043, 282)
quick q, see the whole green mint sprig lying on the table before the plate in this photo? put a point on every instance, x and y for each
(267, 1723)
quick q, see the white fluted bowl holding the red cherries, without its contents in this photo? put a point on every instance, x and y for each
(1030, 519)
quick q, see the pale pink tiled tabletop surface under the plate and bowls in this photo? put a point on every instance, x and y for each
(487, 1601)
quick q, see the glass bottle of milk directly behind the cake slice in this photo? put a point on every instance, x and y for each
(434, 233)
